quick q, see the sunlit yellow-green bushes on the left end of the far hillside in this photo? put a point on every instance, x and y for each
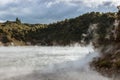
(16, 32)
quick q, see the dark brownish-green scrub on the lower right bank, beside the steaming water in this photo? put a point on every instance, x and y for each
(108, 64)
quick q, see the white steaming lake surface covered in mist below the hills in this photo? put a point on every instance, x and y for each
(48, 63)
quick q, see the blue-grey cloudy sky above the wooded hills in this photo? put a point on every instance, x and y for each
(49, 11)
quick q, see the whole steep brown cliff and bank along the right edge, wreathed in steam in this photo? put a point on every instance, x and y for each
(109, 62)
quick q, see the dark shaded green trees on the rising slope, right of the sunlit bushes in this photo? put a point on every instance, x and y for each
(70, 31)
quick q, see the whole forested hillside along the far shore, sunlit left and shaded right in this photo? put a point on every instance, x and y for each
(66, 32)
